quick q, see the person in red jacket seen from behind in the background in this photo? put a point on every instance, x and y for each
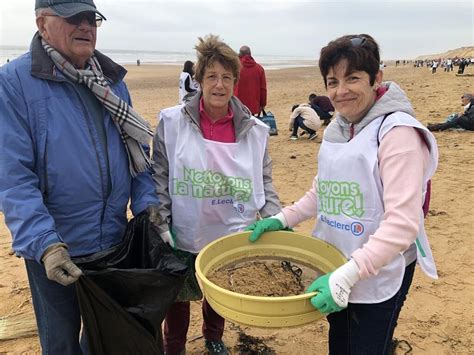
(251, 88)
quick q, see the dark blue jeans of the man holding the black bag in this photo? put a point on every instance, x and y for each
(57, 313)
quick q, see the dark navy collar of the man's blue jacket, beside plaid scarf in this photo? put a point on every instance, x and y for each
(42, 66)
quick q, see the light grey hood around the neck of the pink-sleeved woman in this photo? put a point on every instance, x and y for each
(394, 100)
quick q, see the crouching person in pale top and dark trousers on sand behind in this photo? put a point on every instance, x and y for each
(304, 117)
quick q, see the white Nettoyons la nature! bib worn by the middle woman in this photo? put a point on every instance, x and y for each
(216, 188)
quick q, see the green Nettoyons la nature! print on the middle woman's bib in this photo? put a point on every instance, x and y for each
(211, 184)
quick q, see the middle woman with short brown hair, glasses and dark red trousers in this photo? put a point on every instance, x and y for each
(213, 175)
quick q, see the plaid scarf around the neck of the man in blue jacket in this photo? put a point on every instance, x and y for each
(133, 129)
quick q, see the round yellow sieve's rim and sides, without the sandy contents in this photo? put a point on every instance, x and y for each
(258, 311)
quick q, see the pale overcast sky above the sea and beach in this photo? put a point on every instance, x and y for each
(403, 28)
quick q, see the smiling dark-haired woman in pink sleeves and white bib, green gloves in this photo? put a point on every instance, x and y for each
(369, 195)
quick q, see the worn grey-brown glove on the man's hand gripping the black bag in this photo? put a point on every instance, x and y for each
(58, 265)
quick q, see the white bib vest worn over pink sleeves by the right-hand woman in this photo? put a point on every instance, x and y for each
(350, 203)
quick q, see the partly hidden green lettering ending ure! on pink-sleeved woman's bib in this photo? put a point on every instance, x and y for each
(340, 198)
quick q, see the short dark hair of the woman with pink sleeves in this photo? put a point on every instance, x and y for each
(360, 51)
